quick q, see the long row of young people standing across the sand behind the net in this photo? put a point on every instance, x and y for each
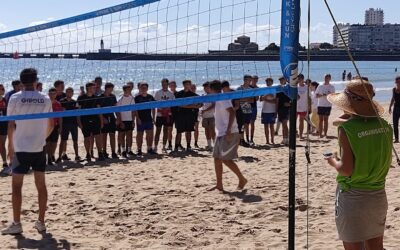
(112, 134)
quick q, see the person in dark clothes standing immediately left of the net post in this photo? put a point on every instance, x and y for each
(283, 108)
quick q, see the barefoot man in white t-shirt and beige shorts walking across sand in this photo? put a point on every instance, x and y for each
(228, 138)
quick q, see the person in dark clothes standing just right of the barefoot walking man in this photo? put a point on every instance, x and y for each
(245, 106)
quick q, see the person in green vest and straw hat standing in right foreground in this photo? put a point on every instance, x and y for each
(365, 141)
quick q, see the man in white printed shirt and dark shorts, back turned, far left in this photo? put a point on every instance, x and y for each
(27, 140)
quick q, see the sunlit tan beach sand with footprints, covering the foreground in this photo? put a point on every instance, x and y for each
(163, 203)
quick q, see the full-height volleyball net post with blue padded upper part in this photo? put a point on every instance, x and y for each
(290, 29)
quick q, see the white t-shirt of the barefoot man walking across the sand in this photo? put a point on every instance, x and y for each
(222, 118)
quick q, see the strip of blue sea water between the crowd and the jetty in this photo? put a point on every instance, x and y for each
(76, 72)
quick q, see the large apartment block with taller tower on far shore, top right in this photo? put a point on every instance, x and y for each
(373, 35)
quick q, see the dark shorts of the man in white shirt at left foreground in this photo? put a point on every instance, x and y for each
(23, 162)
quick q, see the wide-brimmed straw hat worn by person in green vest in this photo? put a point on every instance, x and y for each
(357, 99)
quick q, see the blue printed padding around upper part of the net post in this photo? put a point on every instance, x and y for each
(290, 29)
